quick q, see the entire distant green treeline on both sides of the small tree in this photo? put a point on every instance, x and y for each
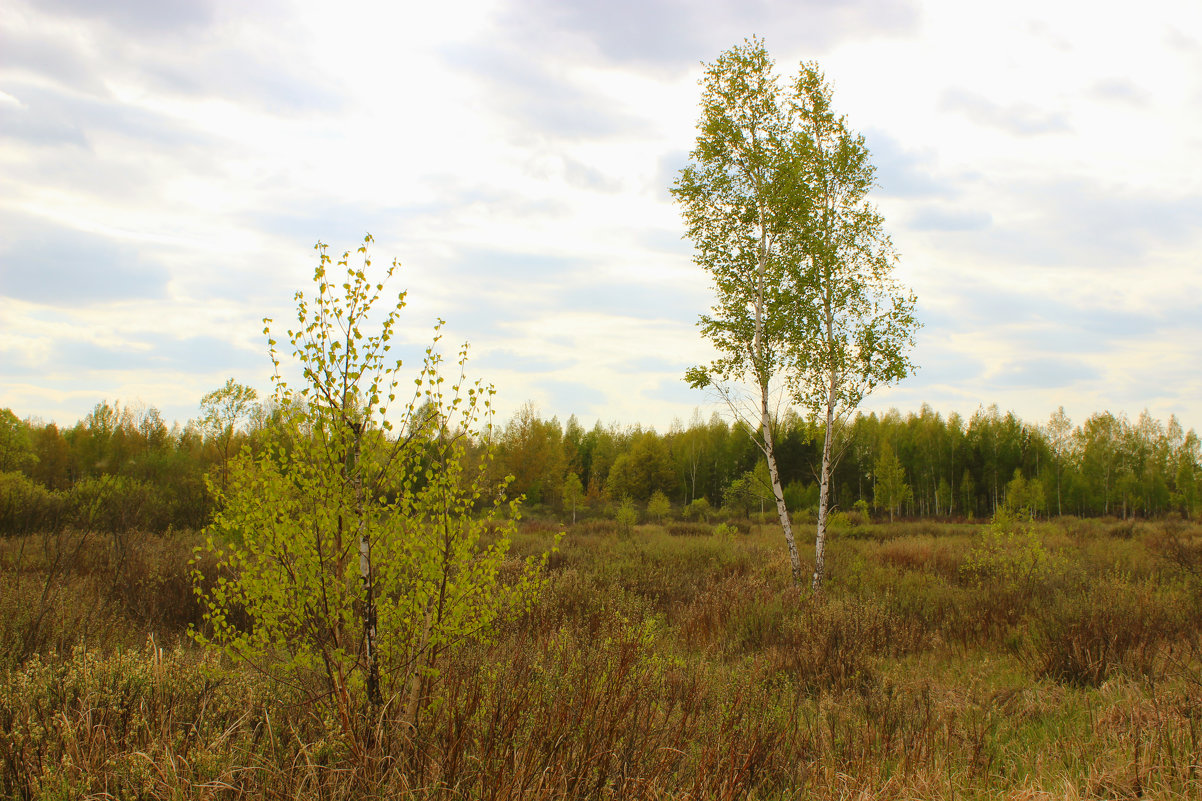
(123, 467)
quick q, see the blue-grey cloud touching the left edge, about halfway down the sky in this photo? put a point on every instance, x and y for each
(53, 265)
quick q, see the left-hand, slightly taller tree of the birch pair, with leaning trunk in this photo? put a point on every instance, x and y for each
(741, 204)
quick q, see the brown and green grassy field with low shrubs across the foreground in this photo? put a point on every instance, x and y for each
(1058, 661)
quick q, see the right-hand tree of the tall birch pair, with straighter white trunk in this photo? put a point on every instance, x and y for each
(858, 323)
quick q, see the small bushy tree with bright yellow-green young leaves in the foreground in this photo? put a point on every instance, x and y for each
(353, 541)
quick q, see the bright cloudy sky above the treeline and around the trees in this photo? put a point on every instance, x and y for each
(168, 167)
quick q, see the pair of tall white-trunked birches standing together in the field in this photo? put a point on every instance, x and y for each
(776, 204)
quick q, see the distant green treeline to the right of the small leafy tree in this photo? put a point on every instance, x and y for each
(950, 467)
